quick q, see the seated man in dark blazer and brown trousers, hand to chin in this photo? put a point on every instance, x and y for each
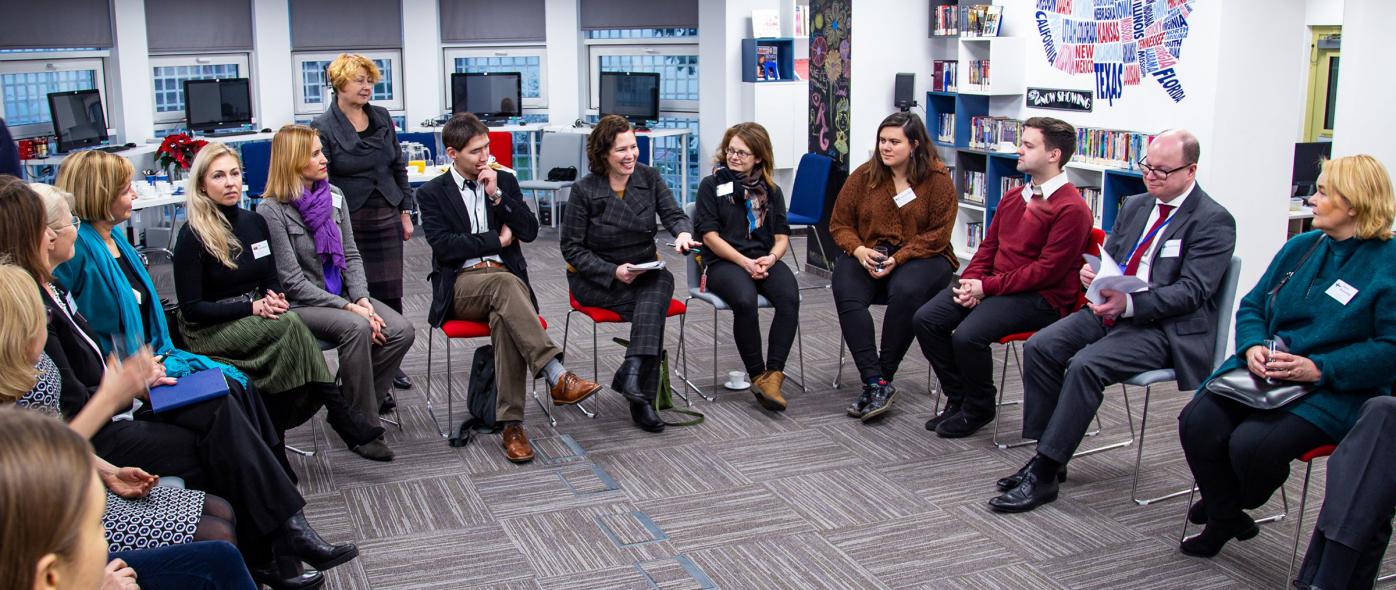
(475, 220)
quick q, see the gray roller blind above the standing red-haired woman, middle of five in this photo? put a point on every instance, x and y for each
(318, 26)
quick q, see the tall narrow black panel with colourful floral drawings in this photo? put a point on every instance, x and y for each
(830, 41)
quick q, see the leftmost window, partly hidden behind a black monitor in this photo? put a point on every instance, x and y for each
(26, 86)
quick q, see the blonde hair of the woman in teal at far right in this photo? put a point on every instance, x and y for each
(1365, 183)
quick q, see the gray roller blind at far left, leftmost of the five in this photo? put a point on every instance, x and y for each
(43, 26)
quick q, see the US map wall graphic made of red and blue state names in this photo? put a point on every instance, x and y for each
(1117, 43)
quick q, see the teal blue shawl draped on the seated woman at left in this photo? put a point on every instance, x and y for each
(101, 289)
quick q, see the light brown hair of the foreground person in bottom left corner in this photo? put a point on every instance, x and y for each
(45, 479)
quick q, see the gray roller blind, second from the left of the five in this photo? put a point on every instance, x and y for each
(184, 26)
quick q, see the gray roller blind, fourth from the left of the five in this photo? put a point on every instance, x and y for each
(475, 22)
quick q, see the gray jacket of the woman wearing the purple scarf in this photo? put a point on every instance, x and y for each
(301, 270)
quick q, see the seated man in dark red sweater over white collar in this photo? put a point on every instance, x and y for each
(1023, 280)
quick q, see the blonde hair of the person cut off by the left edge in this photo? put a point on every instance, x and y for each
(22, 322)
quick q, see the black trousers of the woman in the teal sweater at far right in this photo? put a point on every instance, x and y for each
(1240, 455)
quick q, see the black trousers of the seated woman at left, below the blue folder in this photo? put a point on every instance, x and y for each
(227, 447)
